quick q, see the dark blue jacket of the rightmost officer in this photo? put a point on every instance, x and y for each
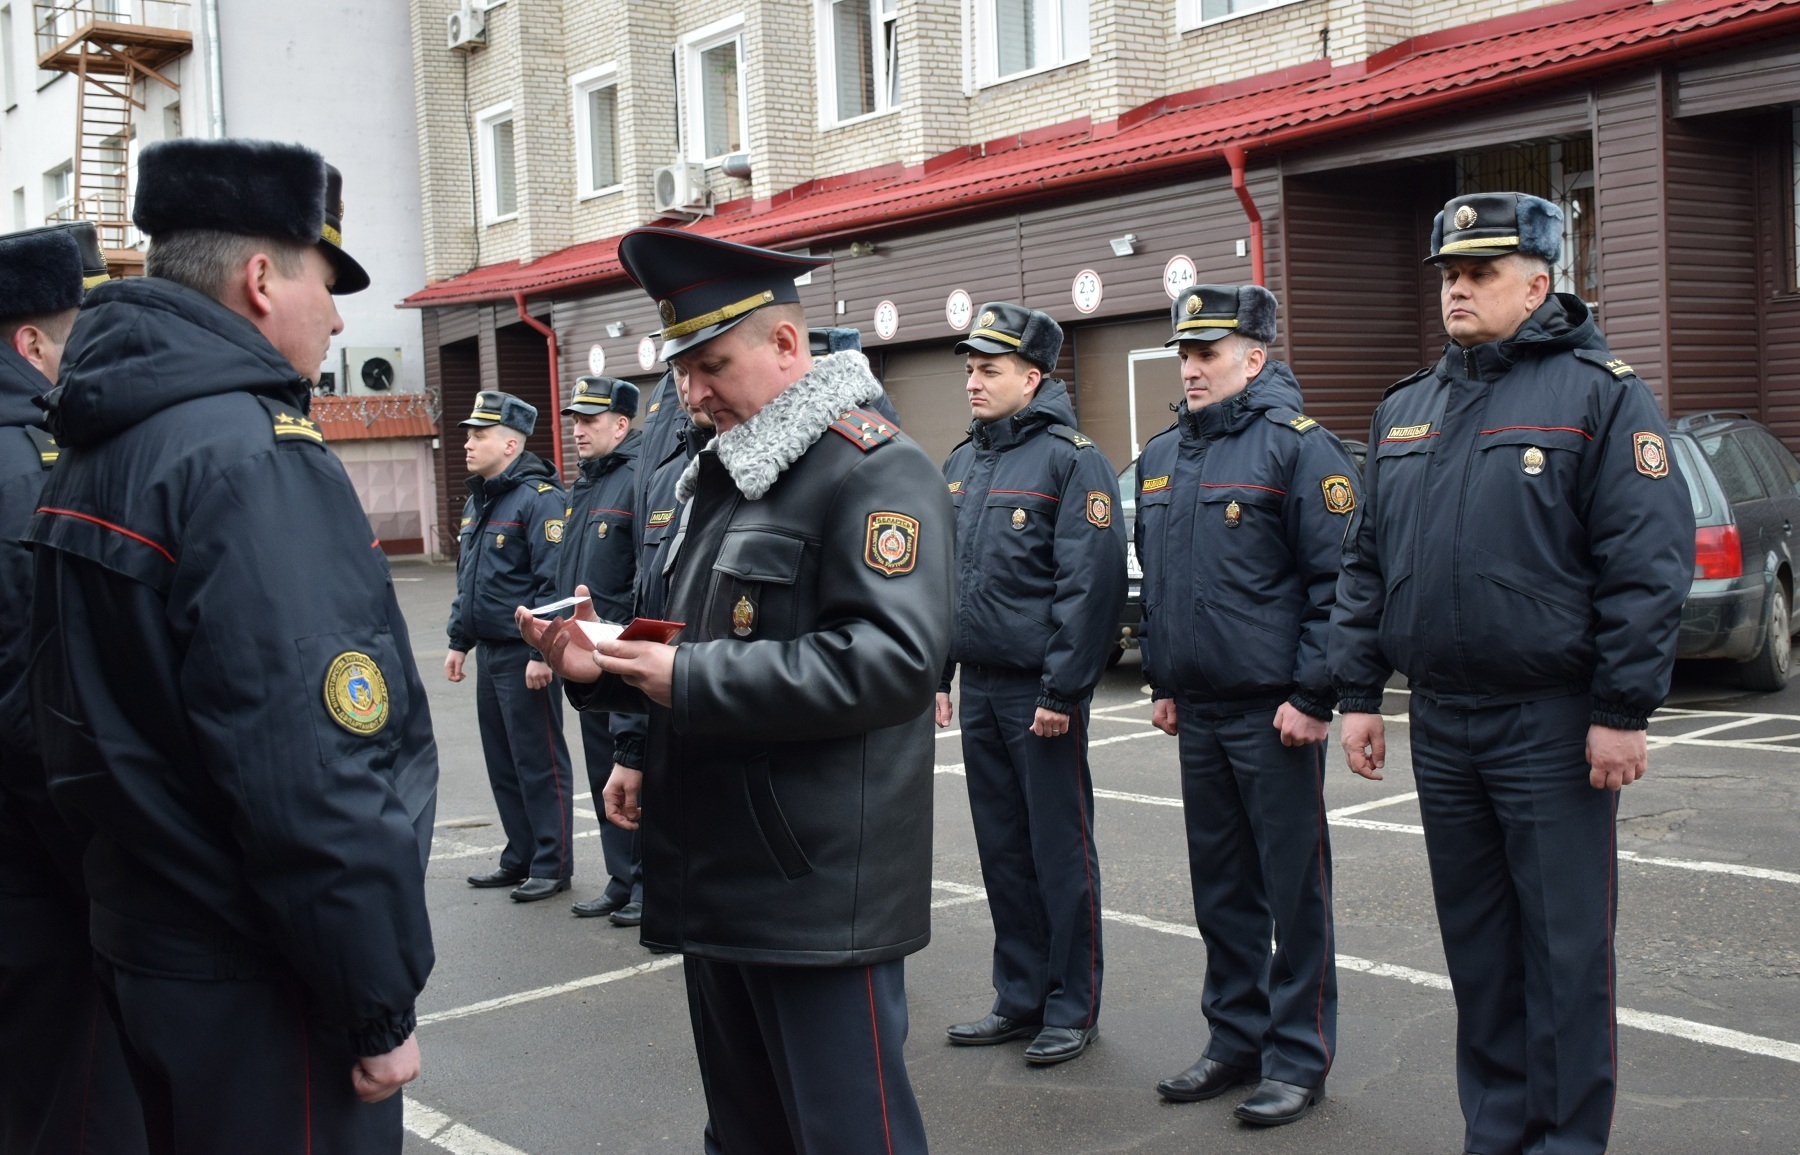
(1524, 532)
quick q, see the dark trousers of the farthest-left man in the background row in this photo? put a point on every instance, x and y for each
(528, 762)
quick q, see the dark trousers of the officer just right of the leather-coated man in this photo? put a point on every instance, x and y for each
(1034, 810)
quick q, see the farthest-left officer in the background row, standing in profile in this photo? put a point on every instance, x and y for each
(507, 557)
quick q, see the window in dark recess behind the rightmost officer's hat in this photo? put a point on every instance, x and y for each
(1560, 172)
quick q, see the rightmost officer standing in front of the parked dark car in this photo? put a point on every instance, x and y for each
(1522, 555)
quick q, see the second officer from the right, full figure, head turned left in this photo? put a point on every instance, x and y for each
(1241, 517)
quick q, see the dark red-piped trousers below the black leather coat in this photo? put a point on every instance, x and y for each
(804, 1061)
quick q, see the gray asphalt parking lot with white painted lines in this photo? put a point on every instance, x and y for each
(550, 1035)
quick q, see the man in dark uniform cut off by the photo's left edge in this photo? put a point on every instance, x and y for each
(62, 1071)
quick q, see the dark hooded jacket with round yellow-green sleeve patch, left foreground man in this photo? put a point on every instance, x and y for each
(222, 679)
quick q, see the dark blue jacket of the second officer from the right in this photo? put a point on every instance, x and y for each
(1241, 523)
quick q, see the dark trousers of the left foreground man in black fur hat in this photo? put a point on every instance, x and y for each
(229, 1068)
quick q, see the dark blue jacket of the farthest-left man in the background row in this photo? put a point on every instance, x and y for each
(508, 548)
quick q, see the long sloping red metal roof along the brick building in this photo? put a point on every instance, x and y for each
(1191, 132)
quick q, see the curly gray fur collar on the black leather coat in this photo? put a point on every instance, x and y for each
(759, 451)
